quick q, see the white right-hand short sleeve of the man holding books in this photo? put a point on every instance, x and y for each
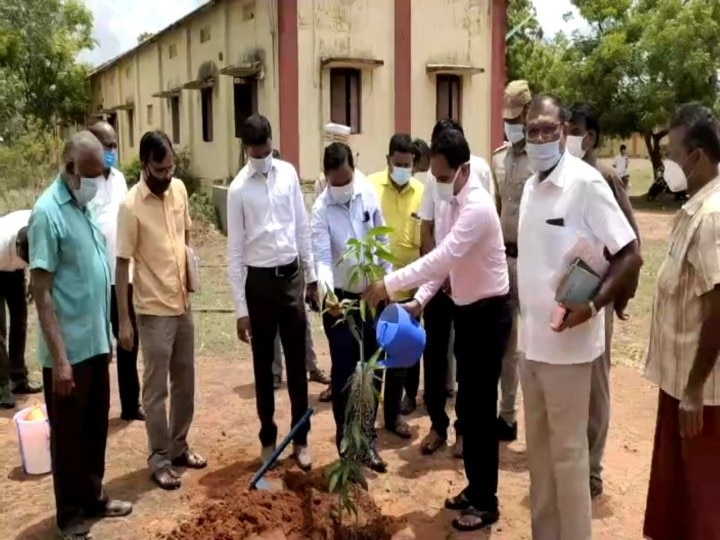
(602, 215)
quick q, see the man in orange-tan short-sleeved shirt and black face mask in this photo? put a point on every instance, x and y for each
(153, 232)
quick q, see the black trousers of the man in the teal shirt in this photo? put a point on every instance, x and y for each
(78, 435)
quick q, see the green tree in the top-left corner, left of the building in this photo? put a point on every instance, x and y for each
(41, 79)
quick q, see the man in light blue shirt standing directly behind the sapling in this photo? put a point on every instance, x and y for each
(346, 210)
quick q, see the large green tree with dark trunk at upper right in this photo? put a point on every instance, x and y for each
(642, 58)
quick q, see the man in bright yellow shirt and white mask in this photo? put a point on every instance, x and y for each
(400, 195)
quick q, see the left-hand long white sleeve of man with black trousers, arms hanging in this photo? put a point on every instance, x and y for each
(237, 271)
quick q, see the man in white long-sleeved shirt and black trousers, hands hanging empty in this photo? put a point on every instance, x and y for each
(269, 250)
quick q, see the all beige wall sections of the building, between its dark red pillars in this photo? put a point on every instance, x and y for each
(357, 32)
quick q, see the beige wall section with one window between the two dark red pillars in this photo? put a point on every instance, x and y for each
(351, 29)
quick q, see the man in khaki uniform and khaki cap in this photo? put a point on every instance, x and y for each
(511, 172)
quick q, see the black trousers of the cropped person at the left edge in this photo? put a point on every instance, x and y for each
(12, 295)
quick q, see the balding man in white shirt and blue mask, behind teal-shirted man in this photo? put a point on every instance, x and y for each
(104, 208)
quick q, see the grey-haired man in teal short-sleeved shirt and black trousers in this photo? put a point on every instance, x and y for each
(71, 287)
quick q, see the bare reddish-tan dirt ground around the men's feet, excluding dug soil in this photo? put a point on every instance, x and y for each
(225, 430)
